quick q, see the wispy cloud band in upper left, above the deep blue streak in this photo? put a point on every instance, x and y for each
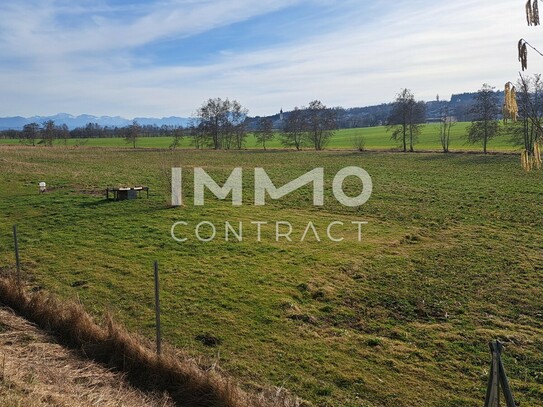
(35, 24)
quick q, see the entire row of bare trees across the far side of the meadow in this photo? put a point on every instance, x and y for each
(224, 124)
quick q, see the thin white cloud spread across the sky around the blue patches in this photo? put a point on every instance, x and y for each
(429, 47)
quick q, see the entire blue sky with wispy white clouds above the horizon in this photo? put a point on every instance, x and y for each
(165, 58)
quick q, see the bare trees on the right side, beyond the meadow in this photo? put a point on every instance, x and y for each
(519, 116)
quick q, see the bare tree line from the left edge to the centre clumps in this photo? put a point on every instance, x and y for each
(217, 124)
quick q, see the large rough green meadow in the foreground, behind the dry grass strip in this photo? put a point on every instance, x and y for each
(450, 259)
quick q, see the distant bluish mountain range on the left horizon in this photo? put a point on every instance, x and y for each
(17, 122)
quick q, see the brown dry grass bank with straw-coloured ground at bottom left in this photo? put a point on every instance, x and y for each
(29, 374)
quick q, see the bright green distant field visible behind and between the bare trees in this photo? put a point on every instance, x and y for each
(375, 138)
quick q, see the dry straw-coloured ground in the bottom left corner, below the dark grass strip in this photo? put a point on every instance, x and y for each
(35, 371)
